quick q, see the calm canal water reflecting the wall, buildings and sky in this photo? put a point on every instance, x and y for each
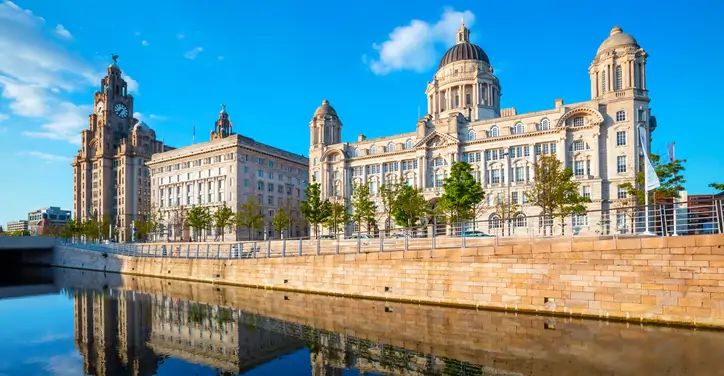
(66, 322)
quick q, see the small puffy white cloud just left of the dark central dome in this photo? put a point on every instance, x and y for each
(414, 46)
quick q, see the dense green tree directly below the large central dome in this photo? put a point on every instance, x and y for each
(462, 192)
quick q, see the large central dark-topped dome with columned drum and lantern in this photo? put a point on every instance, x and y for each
(464, 83)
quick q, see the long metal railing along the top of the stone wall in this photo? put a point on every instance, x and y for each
(654, 220)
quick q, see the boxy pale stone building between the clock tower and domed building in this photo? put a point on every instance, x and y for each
(227, 171)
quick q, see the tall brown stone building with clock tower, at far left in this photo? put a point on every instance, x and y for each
(110, 177)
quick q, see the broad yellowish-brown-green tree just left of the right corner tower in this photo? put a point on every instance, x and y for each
(554, 190)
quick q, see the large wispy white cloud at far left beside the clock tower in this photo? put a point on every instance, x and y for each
(39, 73)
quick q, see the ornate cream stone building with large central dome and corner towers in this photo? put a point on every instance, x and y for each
(597, 139)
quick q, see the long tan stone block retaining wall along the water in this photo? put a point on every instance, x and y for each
(664, 279)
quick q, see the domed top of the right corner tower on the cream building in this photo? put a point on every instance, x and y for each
(619, 68)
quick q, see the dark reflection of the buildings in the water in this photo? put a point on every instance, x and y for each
(130, 333)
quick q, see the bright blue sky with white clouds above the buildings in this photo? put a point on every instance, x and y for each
(273, 62)
